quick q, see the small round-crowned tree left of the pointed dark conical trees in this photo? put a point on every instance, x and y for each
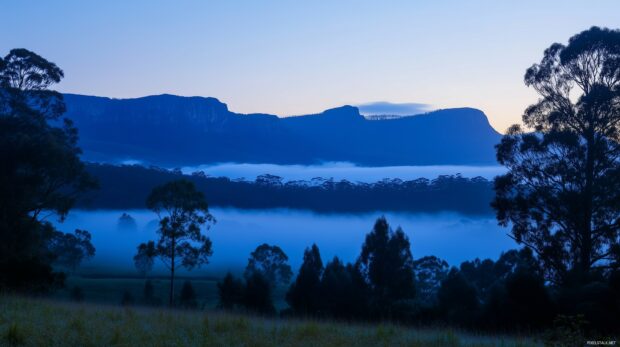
(271, 262)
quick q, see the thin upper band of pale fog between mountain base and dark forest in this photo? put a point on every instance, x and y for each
(340, 171)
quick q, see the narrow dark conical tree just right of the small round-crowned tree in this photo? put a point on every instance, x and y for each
(304, 294)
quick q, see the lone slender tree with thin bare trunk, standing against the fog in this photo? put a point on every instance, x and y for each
(183, 213)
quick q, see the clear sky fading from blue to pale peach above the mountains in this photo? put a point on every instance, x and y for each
(294, 57)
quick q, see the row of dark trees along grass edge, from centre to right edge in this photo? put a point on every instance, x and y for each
(385, 282)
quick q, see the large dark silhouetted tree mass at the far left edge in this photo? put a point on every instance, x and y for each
(41, 170)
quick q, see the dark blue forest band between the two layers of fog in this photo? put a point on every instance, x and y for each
(126, 187)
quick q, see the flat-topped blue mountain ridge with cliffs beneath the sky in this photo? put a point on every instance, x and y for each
(173, 130)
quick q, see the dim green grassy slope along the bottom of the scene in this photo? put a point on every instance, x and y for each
(40, 322)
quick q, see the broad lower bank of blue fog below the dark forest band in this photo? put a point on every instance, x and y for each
(450, 236)
